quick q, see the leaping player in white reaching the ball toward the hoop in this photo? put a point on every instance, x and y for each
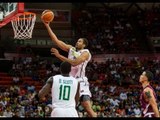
(78, 57)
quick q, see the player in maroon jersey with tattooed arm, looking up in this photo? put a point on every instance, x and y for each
(148, 96)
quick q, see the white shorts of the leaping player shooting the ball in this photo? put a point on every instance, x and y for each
(84, 86)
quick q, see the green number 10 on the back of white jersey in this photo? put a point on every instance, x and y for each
(64, 92)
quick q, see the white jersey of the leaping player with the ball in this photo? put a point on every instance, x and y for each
(79, 70)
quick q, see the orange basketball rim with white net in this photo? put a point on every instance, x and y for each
(23, 25)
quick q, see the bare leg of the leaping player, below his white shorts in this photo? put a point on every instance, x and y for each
(86, 103)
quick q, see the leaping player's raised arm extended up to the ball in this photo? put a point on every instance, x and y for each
(54, 38)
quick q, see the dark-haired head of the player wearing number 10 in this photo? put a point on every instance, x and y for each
(65, 67)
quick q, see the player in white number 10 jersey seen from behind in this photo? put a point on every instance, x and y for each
(65, 92)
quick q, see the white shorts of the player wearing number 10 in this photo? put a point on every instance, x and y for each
(64, 112)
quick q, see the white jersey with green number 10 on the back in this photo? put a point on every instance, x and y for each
(63, 92)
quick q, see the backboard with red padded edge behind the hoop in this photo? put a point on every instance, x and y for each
(10, 10)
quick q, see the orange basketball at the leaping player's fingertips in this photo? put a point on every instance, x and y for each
(47, 16)
